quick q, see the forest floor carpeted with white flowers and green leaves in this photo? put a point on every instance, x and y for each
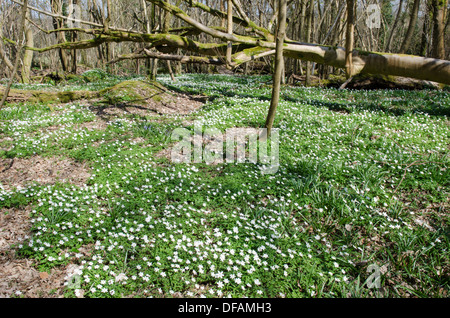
(92, 206)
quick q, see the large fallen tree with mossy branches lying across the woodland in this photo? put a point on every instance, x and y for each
(256, 43)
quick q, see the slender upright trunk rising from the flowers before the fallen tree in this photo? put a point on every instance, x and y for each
(281, 33)
